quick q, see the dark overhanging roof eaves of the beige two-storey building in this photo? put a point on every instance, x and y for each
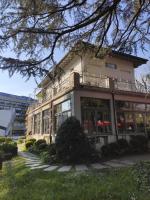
(137, 61)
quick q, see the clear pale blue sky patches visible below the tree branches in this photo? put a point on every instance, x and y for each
(19, 86)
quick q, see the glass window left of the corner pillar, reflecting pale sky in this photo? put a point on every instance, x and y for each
(62, 112)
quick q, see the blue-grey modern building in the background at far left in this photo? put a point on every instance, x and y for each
(12, 114)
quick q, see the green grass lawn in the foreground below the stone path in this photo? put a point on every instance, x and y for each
(18, 182)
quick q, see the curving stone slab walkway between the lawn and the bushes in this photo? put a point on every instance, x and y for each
(33, 162)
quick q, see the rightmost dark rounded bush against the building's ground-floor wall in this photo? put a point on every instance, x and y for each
(138, 144)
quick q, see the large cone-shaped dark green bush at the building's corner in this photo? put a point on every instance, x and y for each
(72, 146)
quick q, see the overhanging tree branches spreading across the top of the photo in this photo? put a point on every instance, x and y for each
(35, 29)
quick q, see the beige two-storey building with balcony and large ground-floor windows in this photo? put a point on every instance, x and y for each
(99, 91)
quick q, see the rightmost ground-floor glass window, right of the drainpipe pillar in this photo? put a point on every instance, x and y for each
(132, 117)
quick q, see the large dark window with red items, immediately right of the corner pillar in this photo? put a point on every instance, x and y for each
(96, 117)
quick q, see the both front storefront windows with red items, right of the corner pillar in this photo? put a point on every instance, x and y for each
(131, 117)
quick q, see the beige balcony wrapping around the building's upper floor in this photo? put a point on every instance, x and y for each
(75, 80)
